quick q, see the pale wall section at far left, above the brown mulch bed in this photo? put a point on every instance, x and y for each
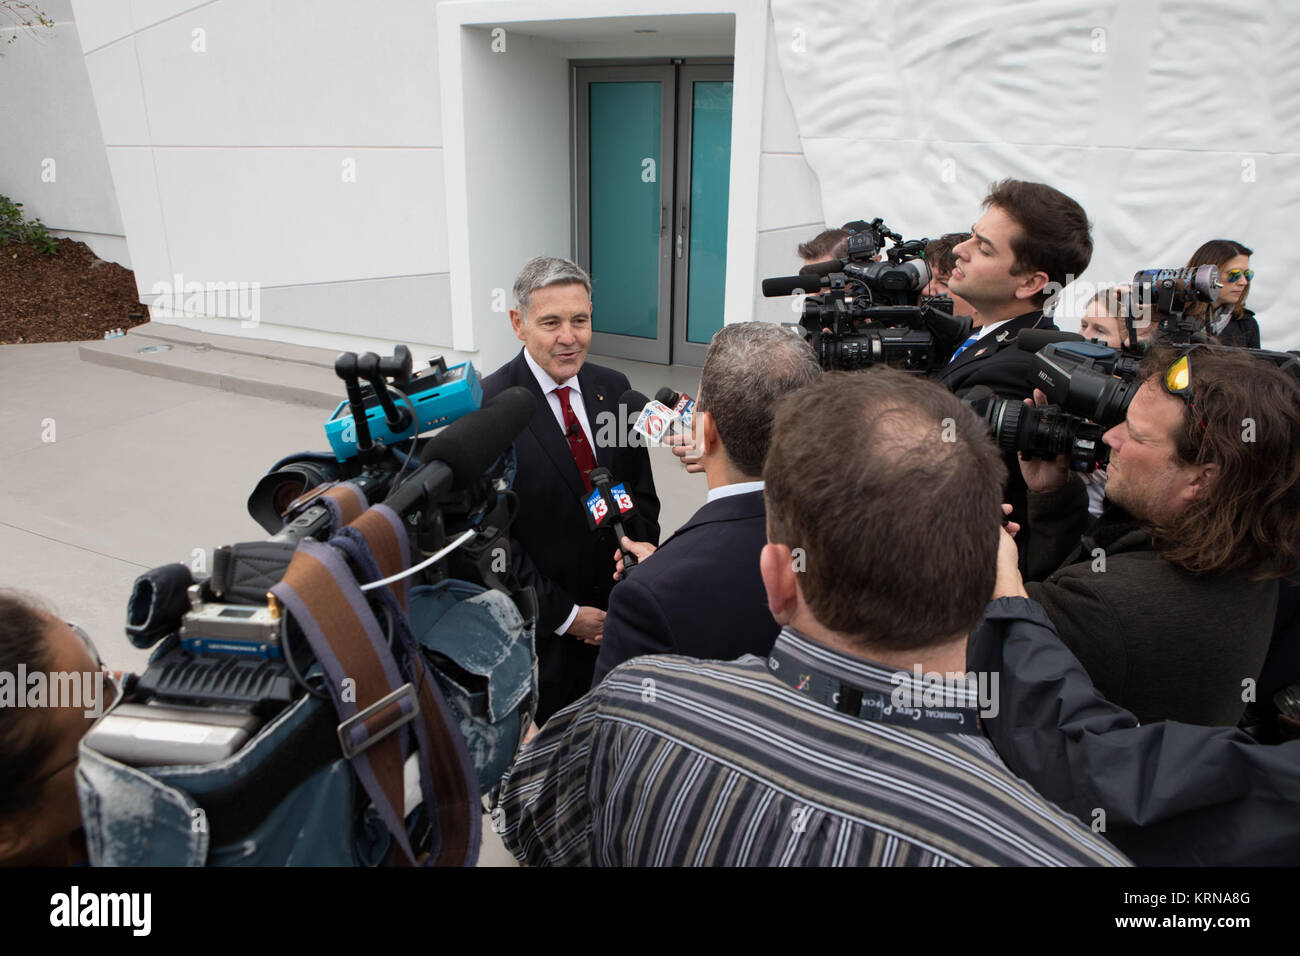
(49, 129)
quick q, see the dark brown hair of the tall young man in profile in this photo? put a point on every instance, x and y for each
(1055, 233)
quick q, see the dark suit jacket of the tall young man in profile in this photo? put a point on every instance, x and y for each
(1004, 367)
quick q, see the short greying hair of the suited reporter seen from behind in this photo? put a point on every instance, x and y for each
(748, 367)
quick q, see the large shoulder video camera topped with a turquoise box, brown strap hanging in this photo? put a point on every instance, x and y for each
(236, 663)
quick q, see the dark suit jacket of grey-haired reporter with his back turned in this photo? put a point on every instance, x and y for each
(701, 595)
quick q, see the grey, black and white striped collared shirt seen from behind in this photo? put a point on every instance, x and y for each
(677, 762)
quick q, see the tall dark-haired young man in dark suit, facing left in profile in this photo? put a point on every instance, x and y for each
(1029, 245)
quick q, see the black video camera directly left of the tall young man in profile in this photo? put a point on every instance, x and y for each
(869, 313)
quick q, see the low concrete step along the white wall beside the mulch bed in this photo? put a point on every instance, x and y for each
(249, 367)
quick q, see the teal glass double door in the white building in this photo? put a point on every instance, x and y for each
(653, 174)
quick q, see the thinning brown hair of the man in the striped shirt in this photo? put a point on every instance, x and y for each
(892, 488)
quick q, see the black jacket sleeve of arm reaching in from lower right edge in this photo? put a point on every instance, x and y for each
(1169, 794)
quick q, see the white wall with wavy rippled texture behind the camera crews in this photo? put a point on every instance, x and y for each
(1171, 123)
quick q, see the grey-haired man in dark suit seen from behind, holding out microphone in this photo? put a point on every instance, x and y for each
(703, 595)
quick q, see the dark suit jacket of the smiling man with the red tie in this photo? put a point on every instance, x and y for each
(553, 548)
